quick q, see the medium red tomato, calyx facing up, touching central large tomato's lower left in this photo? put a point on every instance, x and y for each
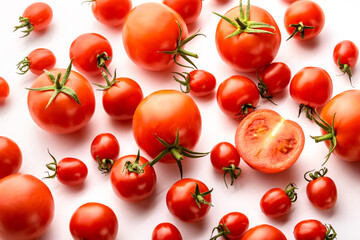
(132, 179)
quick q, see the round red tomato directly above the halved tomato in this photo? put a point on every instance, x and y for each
(237, 96)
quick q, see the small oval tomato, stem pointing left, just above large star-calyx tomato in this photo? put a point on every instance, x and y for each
(37, 60)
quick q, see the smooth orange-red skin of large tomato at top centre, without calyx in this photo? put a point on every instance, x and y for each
(158, 21)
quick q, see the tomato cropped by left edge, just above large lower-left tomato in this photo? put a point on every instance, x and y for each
(10, 157)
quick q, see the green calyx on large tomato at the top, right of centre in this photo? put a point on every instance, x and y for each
(243, 24)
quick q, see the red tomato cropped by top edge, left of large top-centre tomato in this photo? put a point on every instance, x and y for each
(110, 12)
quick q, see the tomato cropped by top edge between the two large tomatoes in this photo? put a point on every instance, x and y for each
(189, 10)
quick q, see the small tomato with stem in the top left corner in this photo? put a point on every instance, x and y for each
(36, 17)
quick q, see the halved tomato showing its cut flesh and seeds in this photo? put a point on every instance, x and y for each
(267, 142)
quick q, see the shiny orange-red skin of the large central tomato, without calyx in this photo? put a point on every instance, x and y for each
(163, 113)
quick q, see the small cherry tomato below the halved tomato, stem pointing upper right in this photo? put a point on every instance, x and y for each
(277, 202)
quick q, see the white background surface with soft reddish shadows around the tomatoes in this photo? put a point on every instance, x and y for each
(137, 220)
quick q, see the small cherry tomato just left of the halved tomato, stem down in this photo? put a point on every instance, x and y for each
(225, 159)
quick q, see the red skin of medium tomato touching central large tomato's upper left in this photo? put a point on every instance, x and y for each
(121, 99)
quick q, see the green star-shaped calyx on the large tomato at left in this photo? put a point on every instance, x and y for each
(58, 86)
